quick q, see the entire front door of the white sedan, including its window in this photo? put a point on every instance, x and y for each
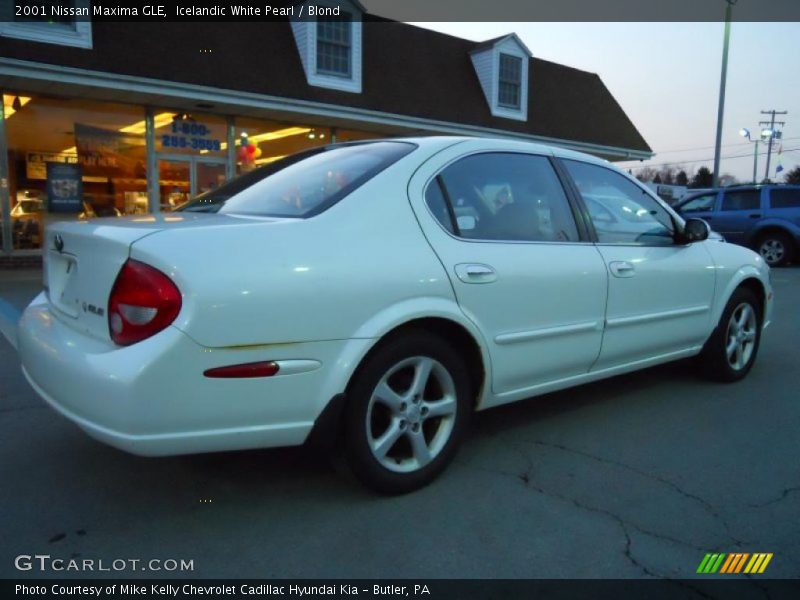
(659, 292)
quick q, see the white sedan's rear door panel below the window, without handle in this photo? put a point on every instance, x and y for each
(543, 314)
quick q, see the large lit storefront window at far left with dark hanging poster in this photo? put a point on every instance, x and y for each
(71, 159)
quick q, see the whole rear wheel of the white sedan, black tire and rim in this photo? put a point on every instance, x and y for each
(408, 409)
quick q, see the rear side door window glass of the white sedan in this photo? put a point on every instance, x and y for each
(503, 196)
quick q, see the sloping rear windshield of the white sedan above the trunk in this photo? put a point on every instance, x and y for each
(301, 185)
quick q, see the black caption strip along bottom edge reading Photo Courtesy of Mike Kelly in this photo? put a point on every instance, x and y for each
(712, 587)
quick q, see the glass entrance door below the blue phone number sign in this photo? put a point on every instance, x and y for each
(182, 178)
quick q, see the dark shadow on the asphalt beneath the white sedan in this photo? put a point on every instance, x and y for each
(308, 471)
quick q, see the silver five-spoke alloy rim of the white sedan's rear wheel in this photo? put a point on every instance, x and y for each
(411, 414)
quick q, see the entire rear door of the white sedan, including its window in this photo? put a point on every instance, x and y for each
(518, 269)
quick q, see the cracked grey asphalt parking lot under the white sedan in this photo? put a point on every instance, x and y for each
(637, 476)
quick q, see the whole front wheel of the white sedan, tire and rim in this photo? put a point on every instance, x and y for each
(730, 352)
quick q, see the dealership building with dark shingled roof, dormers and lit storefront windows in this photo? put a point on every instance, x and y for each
(112, 119)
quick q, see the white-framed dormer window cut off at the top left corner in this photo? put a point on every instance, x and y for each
(64, 22)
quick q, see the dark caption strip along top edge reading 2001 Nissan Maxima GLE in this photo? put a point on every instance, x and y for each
(187, 11)
